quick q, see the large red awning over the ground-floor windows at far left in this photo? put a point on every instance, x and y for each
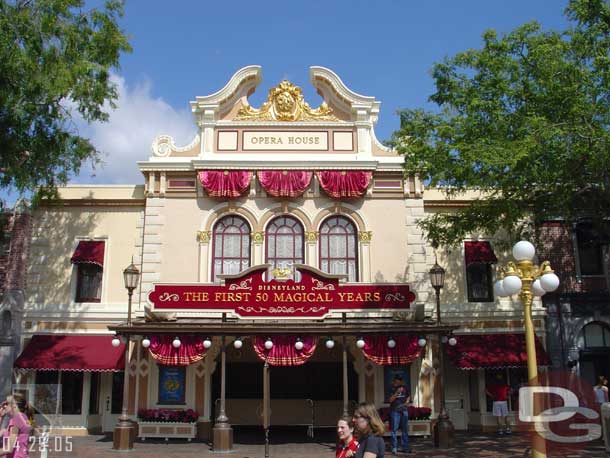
(72, 353)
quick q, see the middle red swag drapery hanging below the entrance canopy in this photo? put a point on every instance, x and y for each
(283, 352)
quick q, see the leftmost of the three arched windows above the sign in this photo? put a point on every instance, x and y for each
(231, 246)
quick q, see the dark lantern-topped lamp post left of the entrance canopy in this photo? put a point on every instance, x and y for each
(124, 431)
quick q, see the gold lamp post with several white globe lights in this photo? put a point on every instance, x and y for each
(528, 280)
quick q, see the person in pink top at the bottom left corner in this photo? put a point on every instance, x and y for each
(16, 444)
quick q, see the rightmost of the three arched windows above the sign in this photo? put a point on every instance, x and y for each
(338, 254)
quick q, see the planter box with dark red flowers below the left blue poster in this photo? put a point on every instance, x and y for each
(167, 423)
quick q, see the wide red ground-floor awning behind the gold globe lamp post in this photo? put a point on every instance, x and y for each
(493, 351)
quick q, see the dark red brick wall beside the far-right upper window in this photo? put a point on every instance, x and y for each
(557, 247)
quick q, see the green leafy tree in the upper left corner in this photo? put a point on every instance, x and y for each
(55, 61)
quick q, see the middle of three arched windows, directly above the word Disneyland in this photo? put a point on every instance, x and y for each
(284, 247)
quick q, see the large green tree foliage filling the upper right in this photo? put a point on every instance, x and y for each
(525, 120)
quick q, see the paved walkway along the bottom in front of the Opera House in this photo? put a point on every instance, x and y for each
(468, 445)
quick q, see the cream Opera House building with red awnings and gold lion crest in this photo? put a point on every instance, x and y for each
(282, 185)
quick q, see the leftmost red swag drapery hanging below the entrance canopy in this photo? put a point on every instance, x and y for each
(190, 350)
